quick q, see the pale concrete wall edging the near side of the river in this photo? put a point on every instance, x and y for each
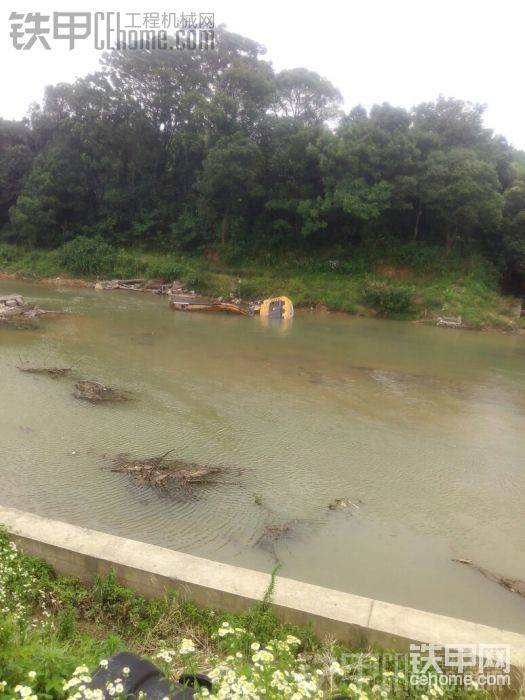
(152, 571)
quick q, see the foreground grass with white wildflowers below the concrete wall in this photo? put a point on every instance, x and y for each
(54, 631)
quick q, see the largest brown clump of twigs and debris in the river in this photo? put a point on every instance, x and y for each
(161, 472)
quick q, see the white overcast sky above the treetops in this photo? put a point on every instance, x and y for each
(400, 51)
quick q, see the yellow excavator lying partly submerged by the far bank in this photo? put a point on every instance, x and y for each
(272, 308)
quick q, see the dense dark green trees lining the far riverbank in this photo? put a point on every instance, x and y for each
(182, 150)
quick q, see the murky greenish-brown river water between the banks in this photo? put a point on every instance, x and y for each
(423, 428)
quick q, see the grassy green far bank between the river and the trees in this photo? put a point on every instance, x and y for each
(407, 282)
